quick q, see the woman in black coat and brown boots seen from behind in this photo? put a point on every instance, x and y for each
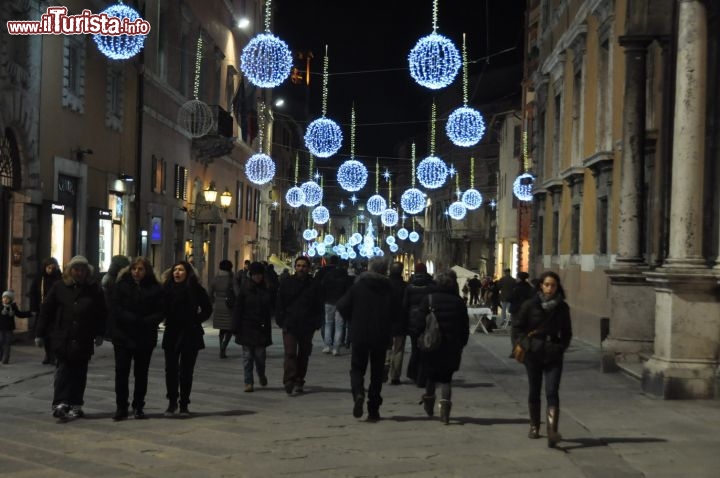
(440, 364)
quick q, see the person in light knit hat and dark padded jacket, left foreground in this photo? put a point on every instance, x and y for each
(74, 312)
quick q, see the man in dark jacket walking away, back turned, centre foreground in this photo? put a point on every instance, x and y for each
(371, 307)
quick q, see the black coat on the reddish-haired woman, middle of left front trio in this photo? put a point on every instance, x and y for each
(136, 312)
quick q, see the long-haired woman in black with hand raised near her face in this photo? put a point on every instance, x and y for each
(186, 307)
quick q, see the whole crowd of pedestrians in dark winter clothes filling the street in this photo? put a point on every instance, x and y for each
(371, 314)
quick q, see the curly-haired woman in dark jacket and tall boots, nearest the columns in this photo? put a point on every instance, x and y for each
(546, 317)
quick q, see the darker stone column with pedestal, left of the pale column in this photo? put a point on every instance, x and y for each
(631, 297)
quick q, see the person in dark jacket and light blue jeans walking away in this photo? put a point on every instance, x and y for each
(334, 284)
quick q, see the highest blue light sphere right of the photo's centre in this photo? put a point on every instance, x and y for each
(434, 61)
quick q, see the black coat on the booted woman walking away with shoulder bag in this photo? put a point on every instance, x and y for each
(452, 317)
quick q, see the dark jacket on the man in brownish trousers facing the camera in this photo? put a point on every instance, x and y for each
(299, 308)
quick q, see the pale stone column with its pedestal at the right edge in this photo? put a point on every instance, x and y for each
(687, 307)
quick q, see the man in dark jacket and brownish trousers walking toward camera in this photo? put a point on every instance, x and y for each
(299, 313)
